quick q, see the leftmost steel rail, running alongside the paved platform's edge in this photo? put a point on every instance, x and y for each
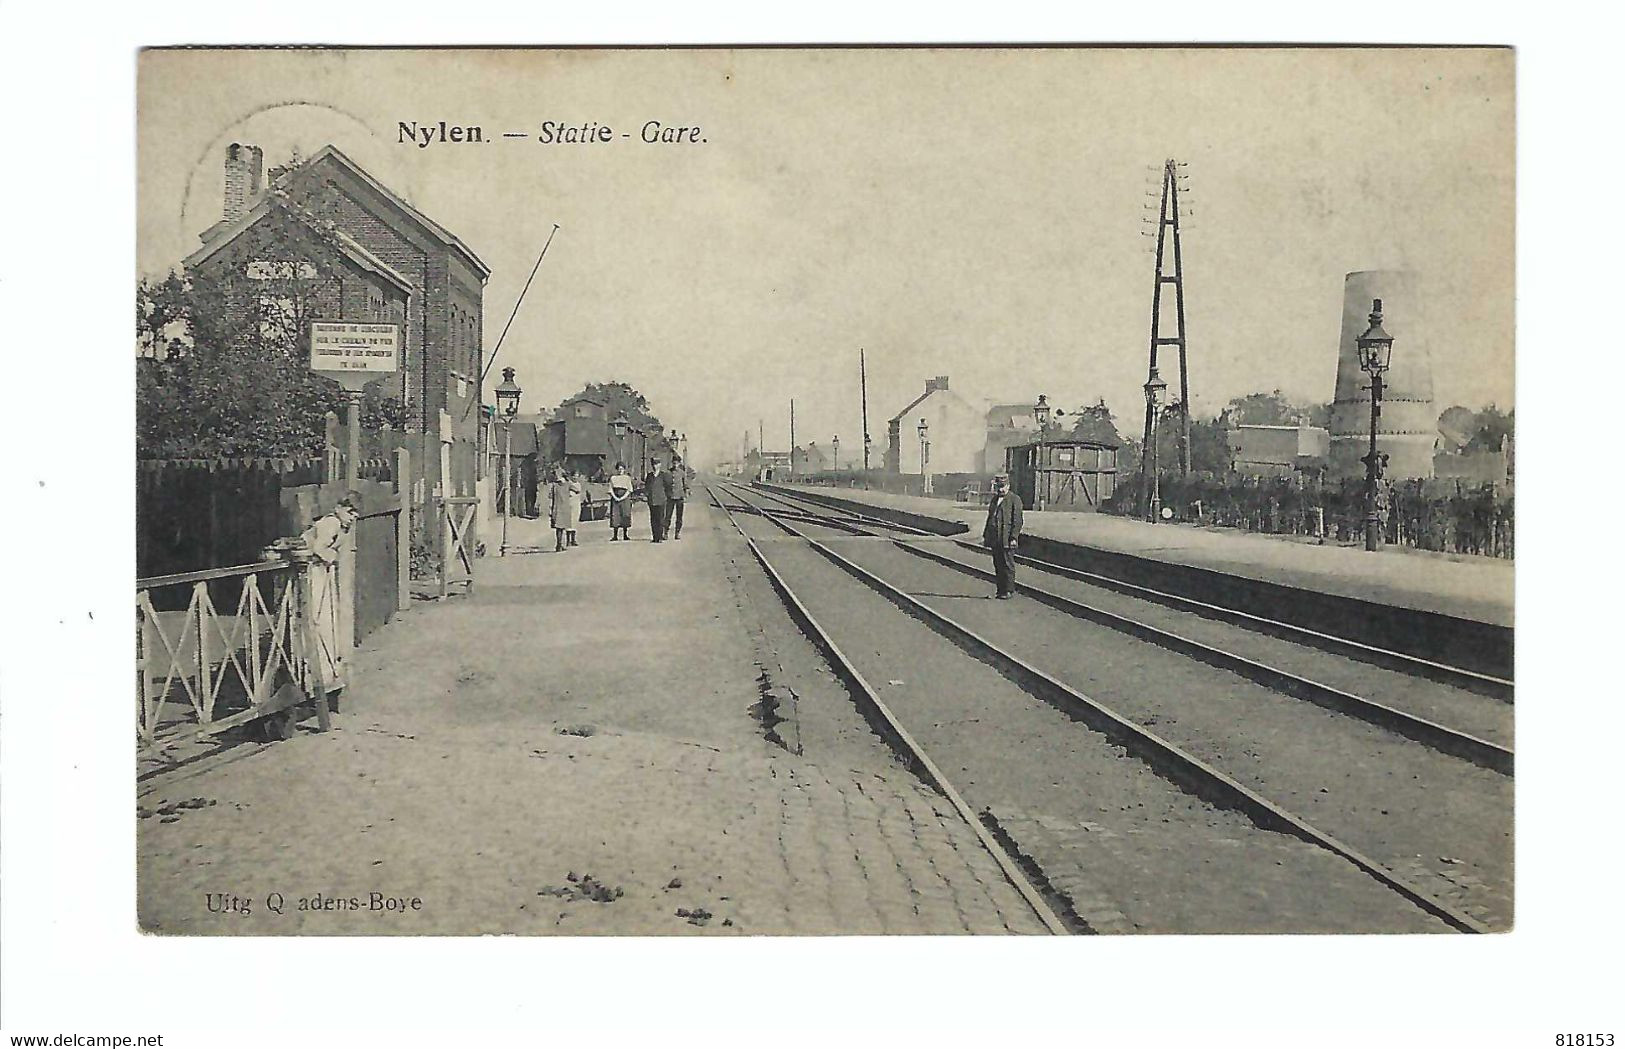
(891, 730)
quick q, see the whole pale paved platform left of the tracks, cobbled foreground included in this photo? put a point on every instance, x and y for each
(568, 749)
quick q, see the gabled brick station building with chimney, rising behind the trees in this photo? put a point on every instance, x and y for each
(389, 262)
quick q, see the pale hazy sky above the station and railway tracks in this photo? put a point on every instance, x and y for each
(964, 214)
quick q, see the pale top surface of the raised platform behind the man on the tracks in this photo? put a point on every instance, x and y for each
(1470, 589)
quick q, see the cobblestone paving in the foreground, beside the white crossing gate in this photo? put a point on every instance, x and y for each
(763, 844)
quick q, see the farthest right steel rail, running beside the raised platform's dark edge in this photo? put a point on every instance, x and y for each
(1486, 684)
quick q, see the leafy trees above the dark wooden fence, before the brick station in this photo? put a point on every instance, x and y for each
(225, 365)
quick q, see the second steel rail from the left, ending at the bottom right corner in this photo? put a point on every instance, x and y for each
(1166, 759)
